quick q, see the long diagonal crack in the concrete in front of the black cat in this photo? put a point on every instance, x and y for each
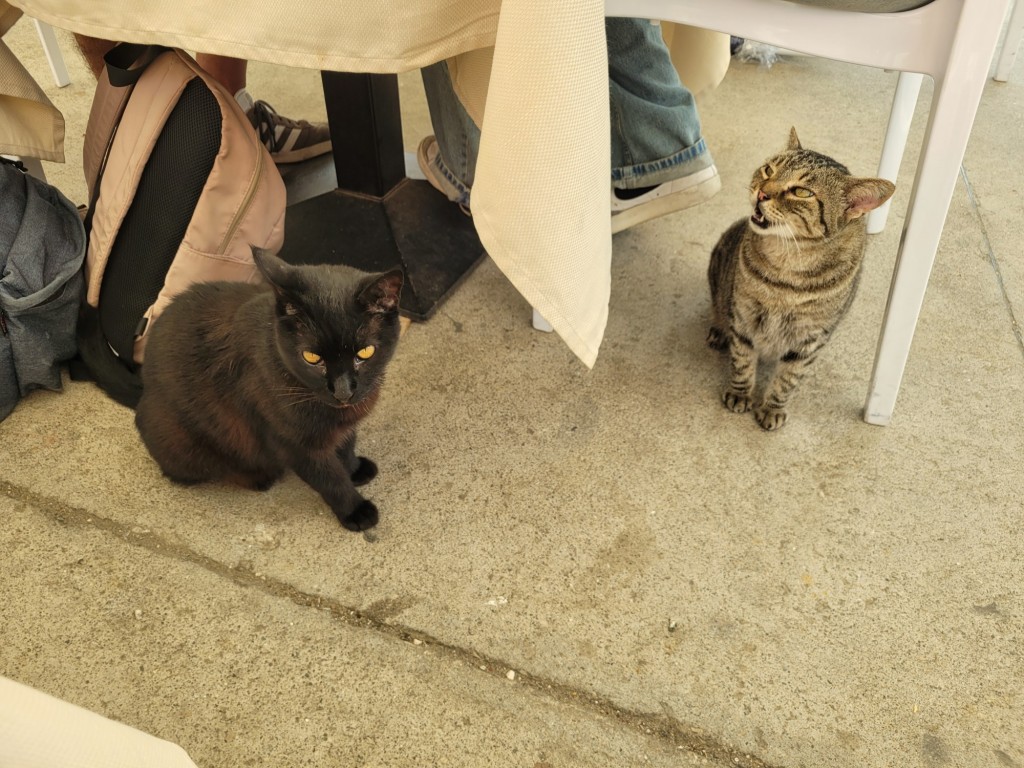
(664, 729)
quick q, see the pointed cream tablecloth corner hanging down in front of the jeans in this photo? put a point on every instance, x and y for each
(556, 191)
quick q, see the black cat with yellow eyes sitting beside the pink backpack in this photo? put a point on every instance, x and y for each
(243, 382)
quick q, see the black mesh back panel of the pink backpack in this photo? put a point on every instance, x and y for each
(159, 217)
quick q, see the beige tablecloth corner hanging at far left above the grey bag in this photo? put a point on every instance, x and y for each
(30, 125)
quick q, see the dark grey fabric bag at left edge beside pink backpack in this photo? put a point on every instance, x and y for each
(42, 247)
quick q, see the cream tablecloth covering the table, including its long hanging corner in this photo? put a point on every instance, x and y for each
(542, 194)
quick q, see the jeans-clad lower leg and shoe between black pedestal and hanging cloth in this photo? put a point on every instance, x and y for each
(449, 158)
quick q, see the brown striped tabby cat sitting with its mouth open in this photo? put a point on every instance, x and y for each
(782, 280)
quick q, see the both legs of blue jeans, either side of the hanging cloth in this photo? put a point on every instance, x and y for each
(656, 132)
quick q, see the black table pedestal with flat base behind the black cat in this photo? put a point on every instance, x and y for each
(377, 219)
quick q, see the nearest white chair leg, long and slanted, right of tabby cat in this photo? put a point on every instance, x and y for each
(955, 105)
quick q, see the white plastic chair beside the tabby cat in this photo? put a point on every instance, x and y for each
(953, 41)
